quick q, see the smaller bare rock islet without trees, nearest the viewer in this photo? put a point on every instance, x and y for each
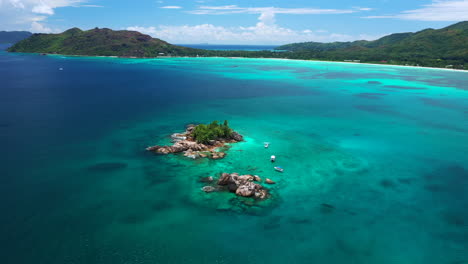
(241, 185)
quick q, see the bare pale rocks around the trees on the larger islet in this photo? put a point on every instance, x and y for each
(184, 142)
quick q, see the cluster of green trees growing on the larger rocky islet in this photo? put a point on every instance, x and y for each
(204, 133)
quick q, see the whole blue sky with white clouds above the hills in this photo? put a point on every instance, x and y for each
(238, 21)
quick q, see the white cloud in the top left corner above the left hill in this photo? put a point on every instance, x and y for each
(32, 14)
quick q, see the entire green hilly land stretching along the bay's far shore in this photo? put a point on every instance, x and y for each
(443, 48)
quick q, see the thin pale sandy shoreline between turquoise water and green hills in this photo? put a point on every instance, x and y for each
(178, 57)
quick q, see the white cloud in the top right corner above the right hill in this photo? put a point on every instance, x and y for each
(438, 10)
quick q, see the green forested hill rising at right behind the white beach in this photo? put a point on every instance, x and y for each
(428, 47)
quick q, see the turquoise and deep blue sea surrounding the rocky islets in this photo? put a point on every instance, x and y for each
(375, 162)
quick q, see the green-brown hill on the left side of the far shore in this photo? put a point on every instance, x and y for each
(99, 42)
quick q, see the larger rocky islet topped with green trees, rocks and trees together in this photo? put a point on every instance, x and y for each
(201, 141)
